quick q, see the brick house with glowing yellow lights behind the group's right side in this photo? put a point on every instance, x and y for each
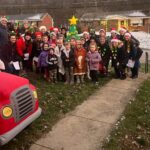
(133, 20)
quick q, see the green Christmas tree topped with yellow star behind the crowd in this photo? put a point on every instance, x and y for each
(73, 33)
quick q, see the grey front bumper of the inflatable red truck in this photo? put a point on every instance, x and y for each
(5, 138)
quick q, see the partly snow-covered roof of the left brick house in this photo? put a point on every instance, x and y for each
(29, 17)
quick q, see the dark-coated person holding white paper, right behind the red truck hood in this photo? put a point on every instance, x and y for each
(9, 55)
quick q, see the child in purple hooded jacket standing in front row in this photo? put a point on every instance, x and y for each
(42, 64)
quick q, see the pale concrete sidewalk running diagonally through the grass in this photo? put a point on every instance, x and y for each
(88, 125)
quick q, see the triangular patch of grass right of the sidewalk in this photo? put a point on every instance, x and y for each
(132, 132)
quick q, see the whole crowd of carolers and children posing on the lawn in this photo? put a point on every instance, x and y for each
(47, 52)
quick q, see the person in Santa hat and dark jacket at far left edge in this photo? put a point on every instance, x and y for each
(3, 31)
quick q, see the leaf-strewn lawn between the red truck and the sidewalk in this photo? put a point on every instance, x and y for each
(55, 101)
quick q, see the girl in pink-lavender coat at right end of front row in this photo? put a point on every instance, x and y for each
(93, 58)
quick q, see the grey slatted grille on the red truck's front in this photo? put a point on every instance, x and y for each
(23, 102)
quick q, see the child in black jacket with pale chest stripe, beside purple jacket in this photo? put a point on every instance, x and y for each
(52, 61)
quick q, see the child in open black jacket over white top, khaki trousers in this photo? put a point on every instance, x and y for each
(68, 62)
